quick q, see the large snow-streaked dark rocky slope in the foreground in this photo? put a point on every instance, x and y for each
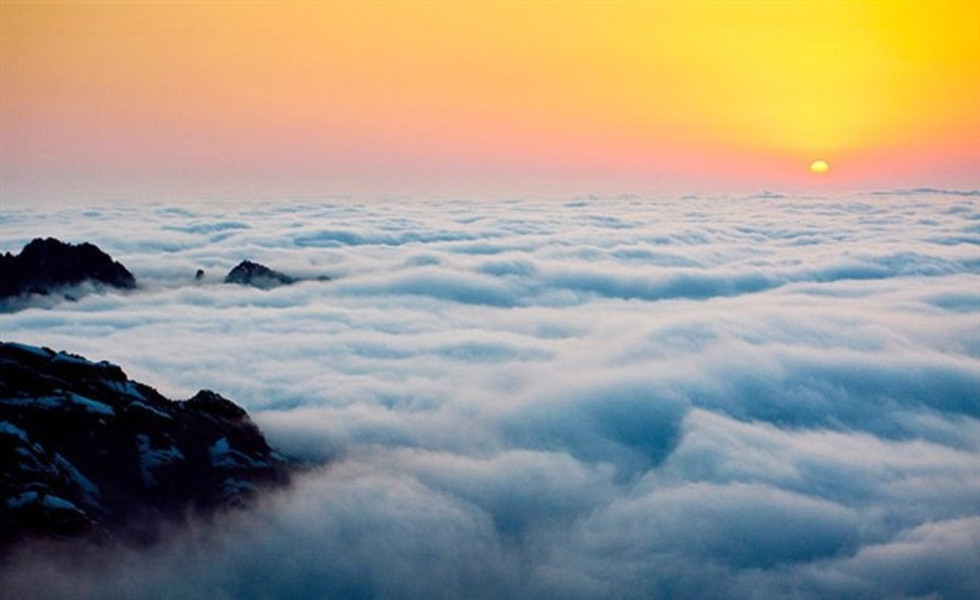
(87, 453)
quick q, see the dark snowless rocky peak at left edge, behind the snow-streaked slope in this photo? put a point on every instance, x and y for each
(45, 265)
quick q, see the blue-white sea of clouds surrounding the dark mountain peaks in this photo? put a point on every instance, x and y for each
(594, 397)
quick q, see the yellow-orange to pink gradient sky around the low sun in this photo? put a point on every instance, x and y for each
(103, 99)
